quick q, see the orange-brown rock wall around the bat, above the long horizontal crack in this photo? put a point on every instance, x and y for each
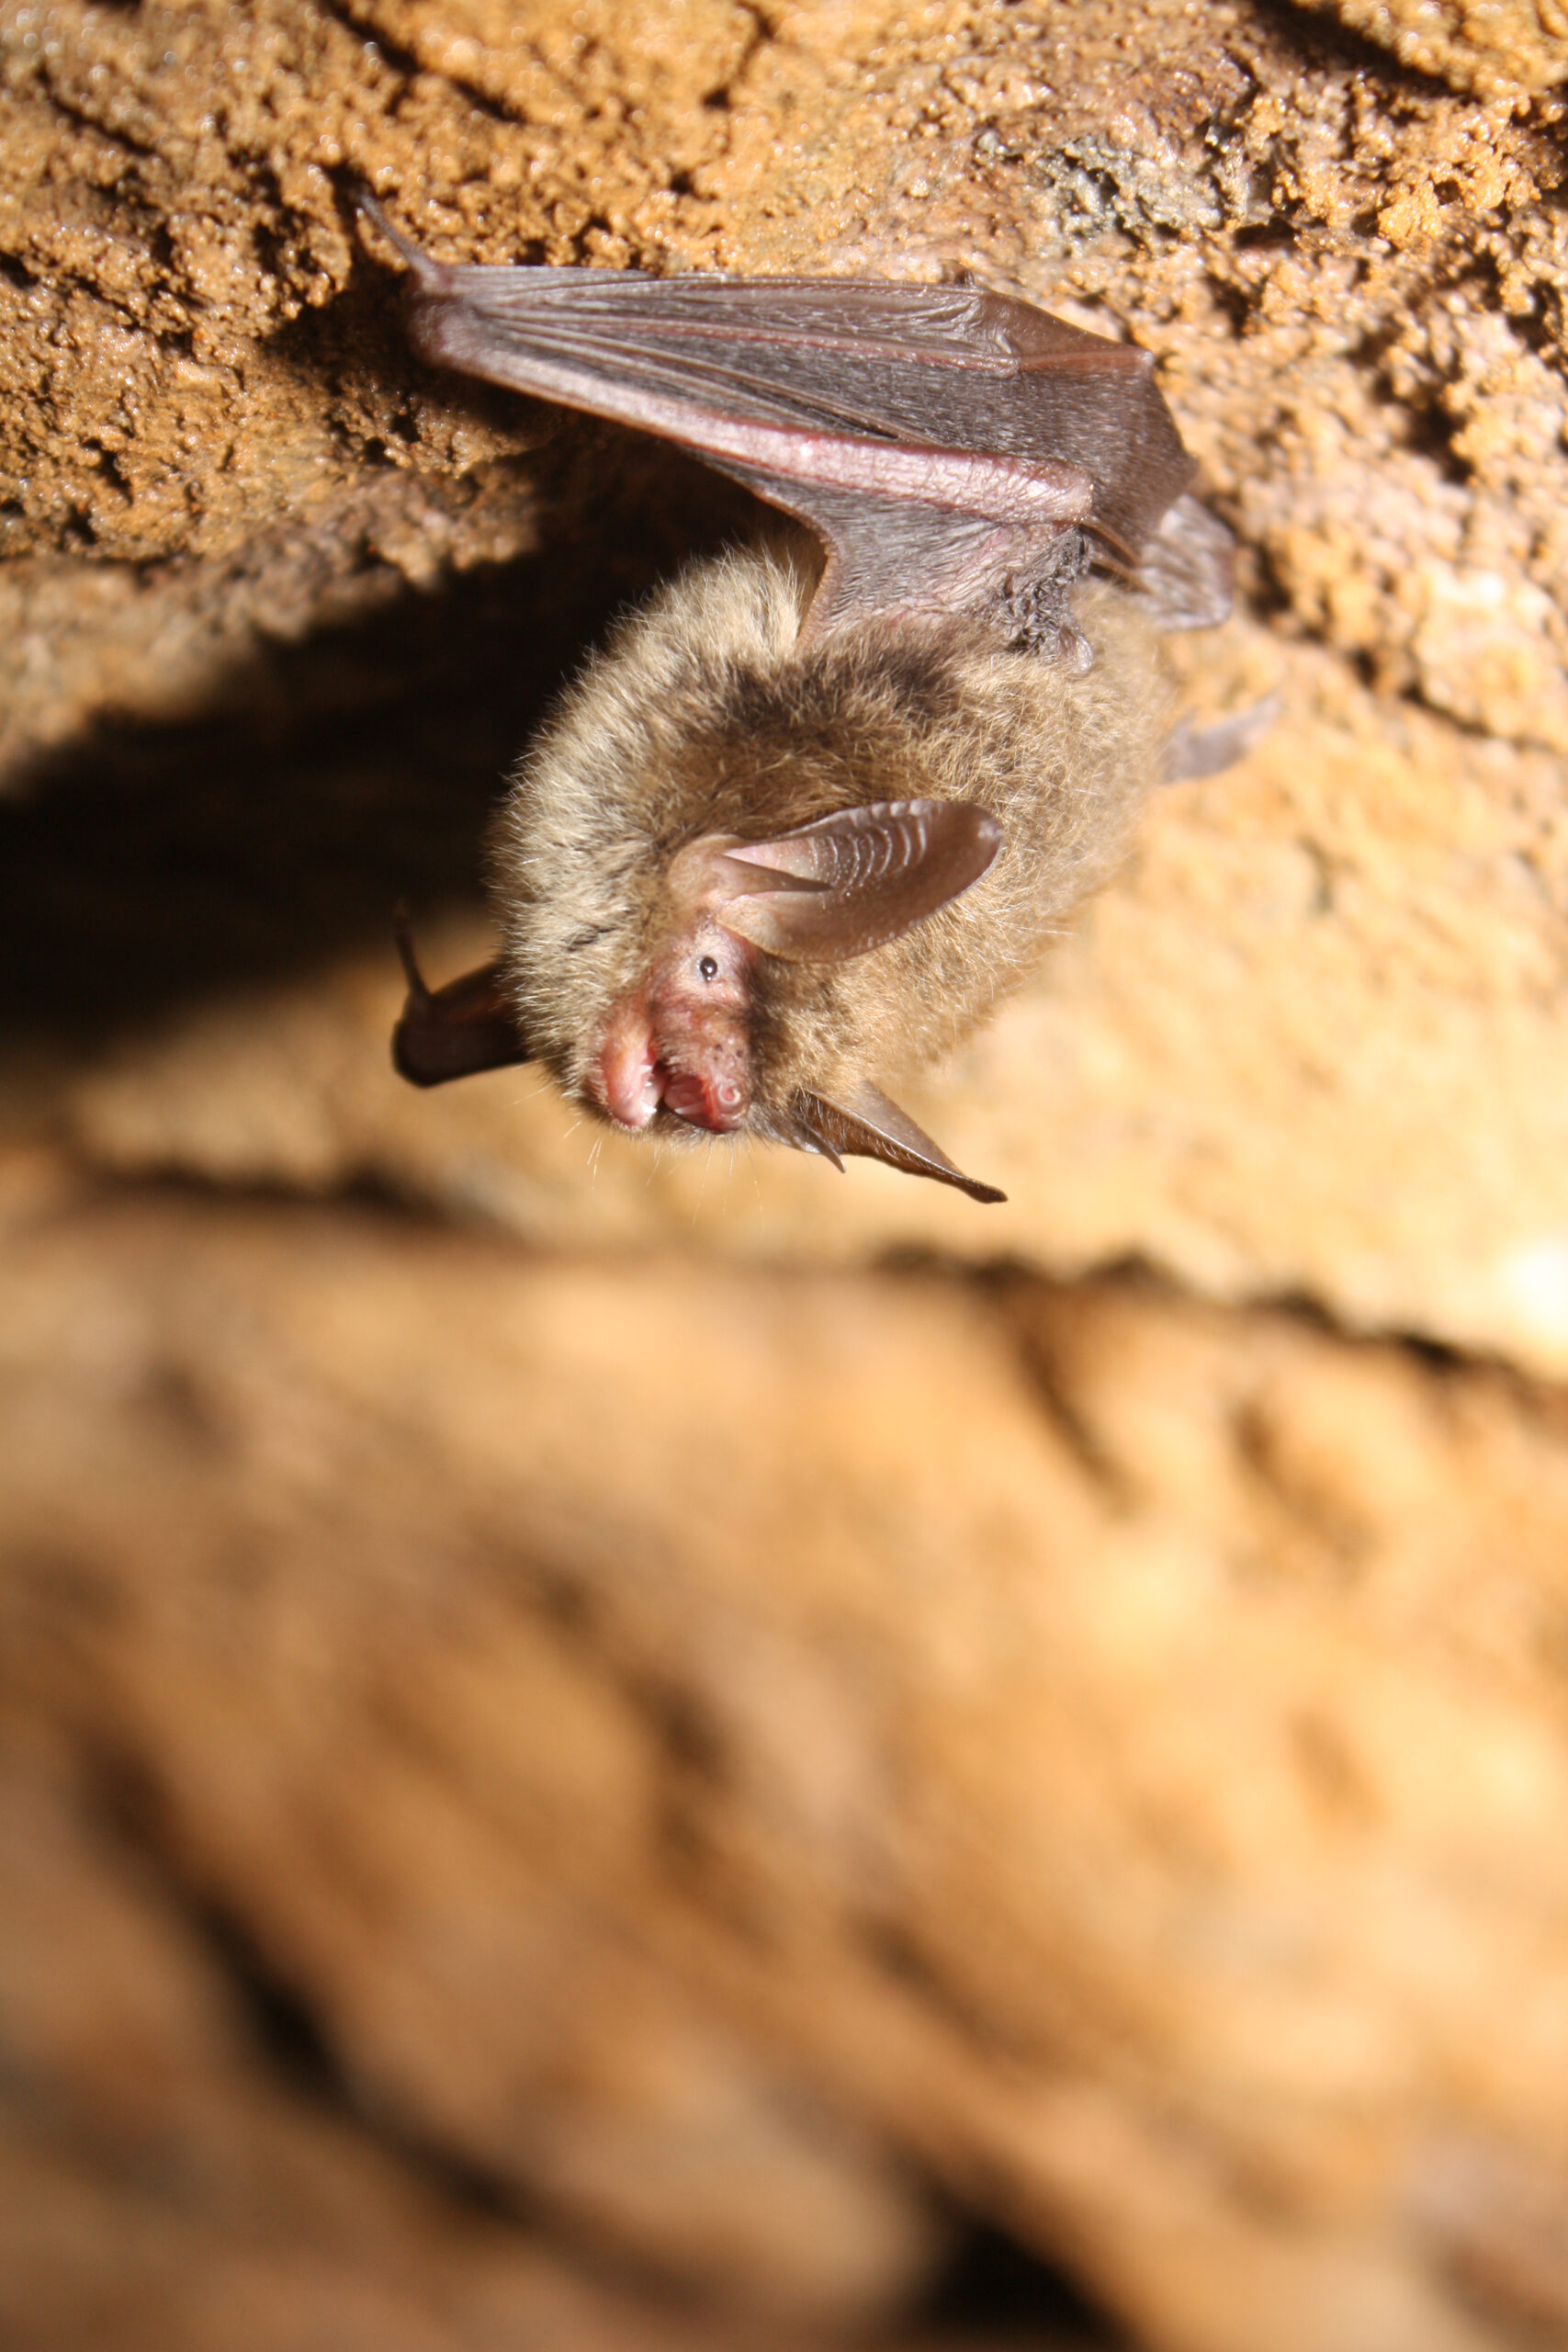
(1313, 1043)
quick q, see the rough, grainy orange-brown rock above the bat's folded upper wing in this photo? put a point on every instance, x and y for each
(1353, 281)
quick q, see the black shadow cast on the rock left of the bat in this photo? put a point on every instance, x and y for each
(166, 862)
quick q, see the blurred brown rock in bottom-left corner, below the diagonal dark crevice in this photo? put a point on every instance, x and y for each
(163, 2189)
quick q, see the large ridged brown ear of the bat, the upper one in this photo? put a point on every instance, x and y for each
(855, 881)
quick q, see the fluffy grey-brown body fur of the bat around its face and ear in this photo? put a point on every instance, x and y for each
(706, 719)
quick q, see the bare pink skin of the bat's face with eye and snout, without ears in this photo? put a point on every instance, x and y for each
(683, 1041)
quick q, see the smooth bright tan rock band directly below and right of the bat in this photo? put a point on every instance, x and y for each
(1311, 1043)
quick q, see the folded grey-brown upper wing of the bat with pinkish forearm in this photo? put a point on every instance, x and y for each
(946, 446)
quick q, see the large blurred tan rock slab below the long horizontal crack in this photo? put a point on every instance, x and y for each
(728, 1756)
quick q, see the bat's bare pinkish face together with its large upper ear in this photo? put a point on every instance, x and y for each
(683, 1038)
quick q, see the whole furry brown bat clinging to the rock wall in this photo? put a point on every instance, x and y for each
(824, 801)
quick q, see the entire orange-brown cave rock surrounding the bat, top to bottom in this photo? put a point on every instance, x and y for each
(634, 1777)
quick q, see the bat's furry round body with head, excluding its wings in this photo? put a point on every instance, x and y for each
(711, 928)
